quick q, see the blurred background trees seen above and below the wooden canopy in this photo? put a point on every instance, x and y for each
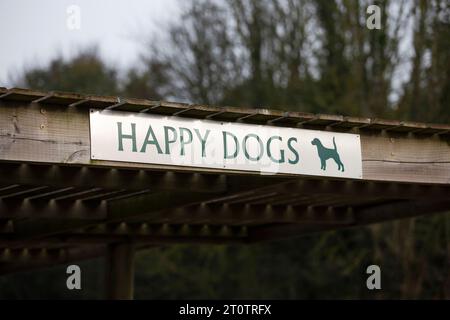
(295, 55)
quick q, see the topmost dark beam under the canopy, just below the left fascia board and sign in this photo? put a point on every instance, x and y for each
(108, 178)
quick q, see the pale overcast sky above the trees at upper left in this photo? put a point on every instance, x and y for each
(32, 32)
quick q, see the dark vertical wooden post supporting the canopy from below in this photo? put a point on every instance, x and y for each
(119, 271)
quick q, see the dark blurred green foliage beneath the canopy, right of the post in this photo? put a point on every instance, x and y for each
(412, 254)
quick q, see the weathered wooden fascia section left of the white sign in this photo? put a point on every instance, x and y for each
(29, 132)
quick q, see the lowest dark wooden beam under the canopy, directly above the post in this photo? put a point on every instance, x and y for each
(142, 234)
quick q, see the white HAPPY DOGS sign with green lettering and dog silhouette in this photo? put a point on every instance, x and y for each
(145, 138)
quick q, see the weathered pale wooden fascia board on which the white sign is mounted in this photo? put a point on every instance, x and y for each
(51, 134)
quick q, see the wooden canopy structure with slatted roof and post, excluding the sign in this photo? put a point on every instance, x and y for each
(58, 205)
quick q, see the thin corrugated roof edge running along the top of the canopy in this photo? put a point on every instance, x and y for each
(232, 114)
